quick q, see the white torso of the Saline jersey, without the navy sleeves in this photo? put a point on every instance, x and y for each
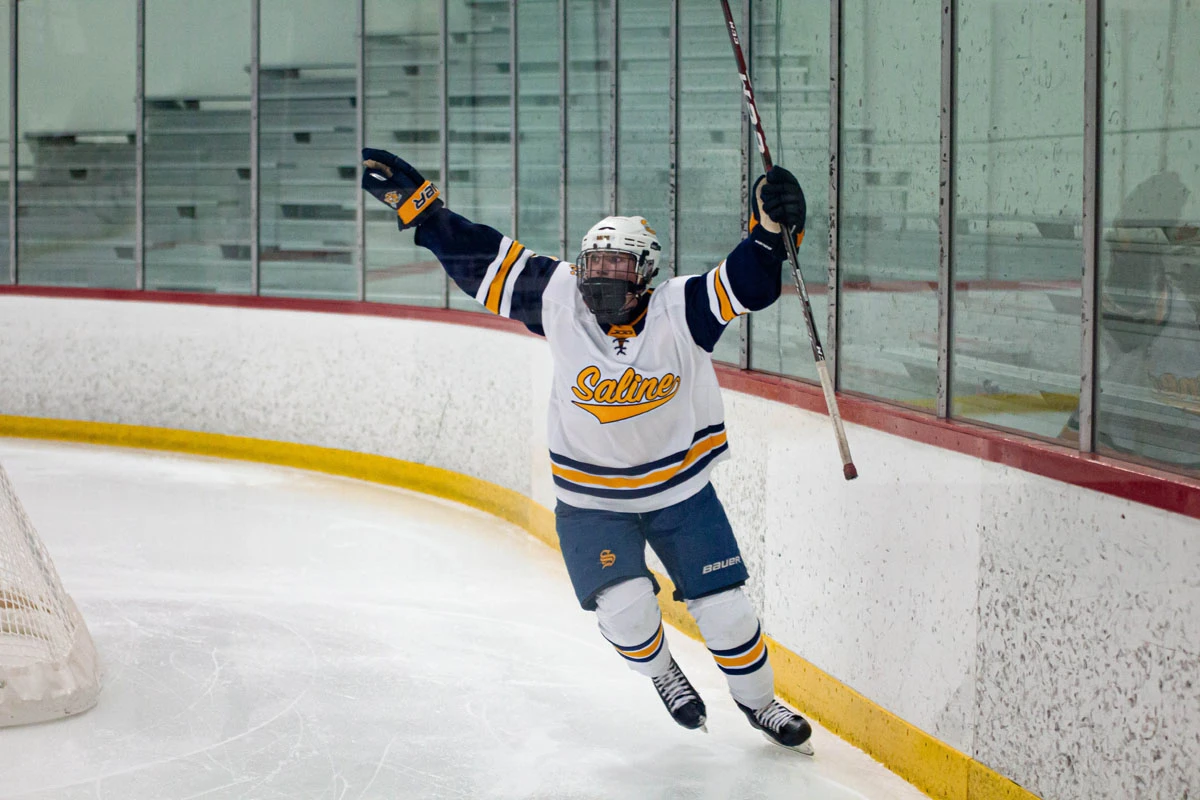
(637, 428)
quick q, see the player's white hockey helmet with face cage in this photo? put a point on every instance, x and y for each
(619, 260)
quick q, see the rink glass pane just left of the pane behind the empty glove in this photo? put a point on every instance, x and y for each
(309, 175)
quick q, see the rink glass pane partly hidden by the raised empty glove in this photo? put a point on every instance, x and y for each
(403, 113)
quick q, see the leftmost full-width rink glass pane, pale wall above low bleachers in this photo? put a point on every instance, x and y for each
(77, 157)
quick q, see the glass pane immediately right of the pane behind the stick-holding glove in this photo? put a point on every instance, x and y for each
(890, 200)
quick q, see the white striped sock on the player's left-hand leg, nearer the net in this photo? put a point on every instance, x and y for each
(631, 619)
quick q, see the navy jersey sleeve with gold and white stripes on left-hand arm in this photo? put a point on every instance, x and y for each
(500, 273)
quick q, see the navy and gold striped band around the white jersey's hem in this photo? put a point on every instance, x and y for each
(644, 480)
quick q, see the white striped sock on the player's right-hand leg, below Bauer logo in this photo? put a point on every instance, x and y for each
(731, 631)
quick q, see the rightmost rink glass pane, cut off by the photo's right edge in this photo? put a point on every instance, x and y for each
(1149, 342)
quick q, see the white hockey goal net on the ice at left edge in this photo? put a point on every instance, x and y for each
(49, 664)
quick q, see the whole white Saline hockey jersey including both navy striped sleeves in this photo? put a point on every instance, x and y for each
(637, 420)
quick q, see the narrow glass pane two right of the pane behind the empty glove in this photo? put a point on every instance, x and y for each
(539, 161)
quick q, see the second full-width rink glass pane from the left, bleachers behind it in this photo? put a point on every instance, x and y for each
(197, 147)
